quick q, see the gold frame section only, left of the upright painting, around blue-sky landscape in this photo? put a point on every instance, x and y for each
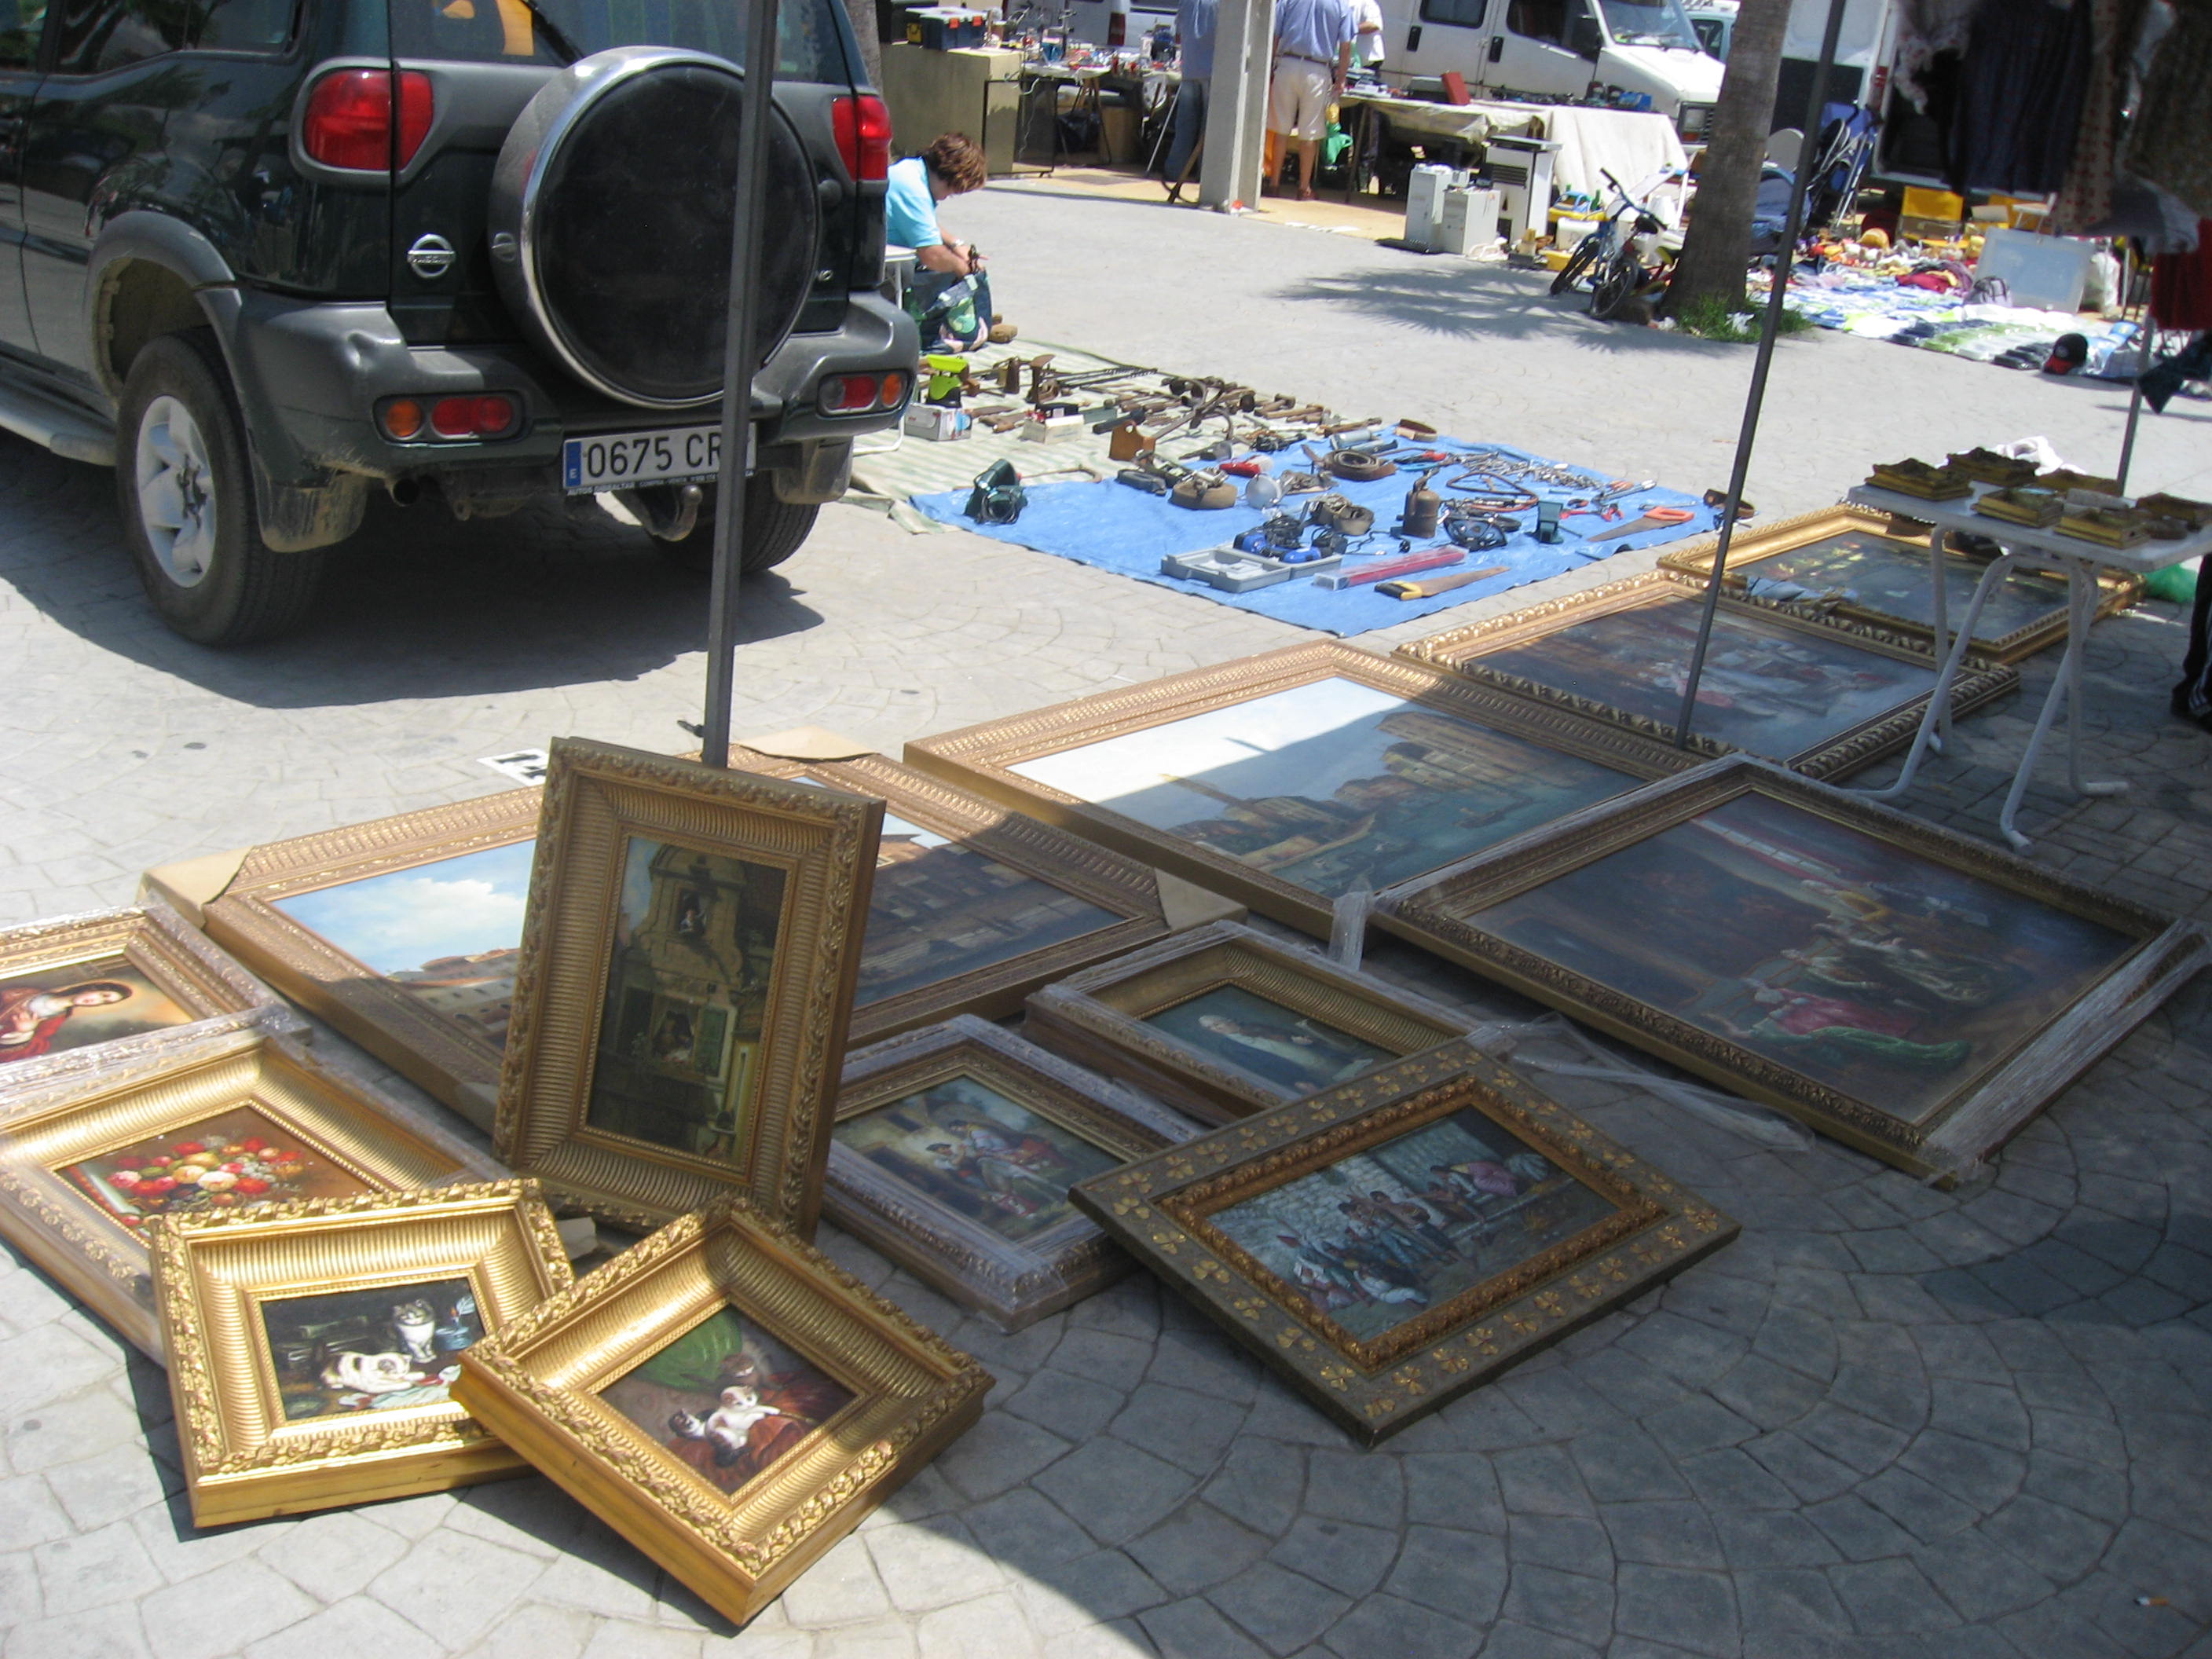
(430, 1050)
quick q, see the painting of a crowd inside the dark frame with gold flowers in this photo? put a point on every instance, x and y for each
(1386, 1235)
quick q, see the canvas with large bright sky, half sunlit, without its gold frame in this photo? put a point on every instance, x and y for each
(1331, 784)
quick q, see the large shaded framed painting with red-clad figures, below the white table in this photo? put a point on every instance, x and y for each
(1906, 990)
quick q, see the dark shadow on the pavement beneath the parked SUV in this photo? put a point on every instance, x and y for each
(419, 605)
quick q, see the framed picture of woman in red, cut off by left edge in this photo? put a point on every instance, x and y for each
(149, 981)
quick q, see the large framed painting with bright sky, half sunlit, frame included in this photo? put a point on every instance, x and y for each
(1426, 753)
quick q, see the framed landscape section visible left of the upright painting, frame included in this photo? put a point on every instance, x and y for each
(452, 879)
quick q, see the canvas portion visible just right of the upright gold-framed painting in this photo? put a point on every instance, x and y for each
(943, 910)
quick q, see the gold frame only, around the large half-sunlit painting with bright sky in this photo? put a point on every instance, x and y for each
(983, 758)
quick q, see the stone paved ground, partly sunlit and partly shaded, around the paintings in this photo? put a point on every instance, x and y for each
(1886, 1423)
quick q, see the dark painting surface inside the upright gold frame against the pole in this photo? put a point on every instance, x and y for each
(687, 992)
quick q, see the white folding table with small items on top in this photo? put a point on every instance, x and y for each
(2018, 543)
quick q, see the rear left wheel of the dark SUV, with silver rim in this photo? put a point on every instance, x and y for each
(187, 499)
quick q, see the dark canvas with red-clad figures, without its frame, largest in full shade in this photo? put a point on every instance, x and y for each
(1872, 970)
